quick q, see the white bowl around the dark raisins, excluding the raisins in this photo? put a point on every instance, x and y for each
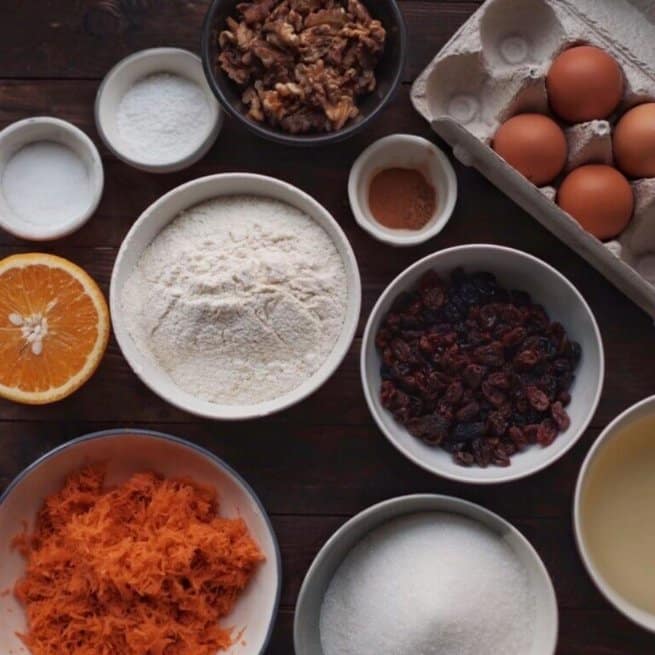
(563, 303)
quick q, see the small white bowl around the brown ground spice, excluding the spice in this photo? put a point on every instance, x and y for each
(403, 151)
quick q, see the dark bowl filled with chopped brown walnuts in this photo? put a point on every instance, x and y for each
(305, 67)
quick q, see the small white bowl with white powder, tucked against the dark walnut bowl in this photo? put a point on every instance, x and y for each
(155, 111)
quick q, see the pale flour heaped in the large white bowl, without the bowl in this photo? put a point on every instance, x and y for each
(240, 299)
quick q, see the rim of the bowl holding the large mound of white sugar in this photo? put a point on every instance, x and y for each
(393, 508)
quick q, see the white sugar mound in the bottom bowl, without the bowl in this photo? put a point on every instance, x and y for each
(429, 584)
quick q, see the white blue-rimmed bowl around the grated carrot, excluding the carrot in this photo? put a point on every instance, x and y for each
(126, 452)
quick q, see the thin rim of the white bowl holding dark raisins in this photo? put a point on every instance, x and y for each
(396, 285)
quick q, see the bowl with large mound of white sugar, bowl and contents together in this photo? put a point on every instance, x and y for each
(426, 574)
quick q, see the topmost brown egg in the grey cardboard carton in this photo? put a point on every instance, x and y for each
(584, 83)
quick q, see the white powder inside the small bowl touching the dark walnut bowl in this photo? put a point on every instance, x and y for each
(162, 118)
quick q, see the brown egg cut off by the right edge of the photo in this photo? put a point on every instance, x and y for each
(634, 141)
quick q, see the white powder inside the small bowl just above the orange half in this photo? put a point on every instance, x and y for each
(46, 183)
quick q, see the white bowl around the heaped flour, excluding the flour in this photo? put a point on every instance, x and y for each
(160, 214)
